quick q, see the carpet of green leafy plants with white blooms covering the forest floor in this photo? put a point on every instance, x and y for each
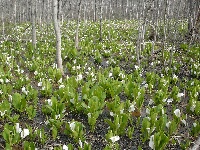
(155, 105)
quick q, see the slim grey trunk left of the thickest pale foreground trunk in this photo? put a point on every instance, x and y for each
(33, 10)
